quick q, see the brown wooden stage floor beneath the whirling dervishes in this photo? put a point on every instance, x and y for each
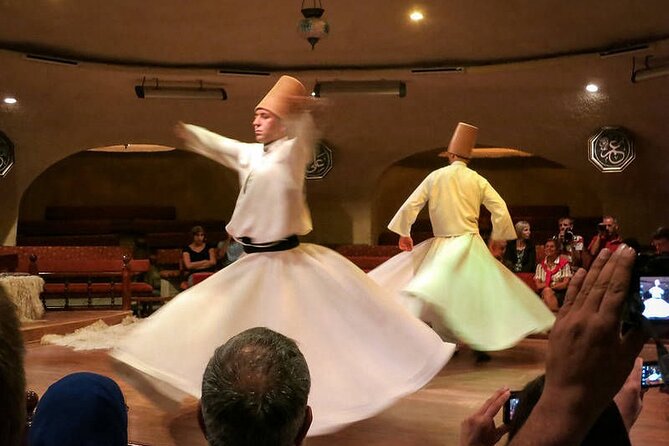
(429, 417)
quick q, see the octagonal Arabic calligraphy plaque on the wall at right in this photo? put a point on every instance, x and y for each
(611, 149)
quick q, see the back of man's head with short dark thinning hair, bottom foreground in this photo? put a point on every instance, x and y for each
(255, 390)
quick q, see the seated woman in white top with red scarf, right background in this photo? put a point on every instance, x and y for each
(552, 276)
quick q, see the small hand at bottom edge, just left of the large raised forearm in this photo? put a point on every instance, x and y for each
(479, 428)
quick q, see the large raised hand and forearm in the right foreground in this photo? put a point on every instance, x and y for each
(585, 341)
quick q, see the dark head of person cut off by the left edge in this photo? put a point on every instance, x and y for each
(12, 375)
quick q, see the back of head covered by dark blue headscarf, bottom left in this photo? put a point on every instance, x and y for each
(81, 409)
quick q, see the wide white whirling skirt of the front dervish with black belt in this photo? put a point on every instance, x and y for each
(364, 350)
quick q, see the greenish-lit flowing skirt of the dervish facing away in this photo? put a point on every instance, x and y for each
(461, 289)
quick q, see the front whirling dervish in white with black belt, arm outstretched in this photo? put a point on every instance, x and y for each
(363, 349)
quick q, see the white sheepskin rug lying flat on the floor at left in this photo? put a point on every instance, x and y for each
(95, 336)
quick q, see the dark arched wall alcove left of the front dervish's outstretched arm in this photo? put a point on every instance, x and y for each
(197, 187)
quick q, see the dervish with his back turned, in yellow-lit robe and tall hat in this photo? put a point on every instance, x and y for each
(452, 280)
